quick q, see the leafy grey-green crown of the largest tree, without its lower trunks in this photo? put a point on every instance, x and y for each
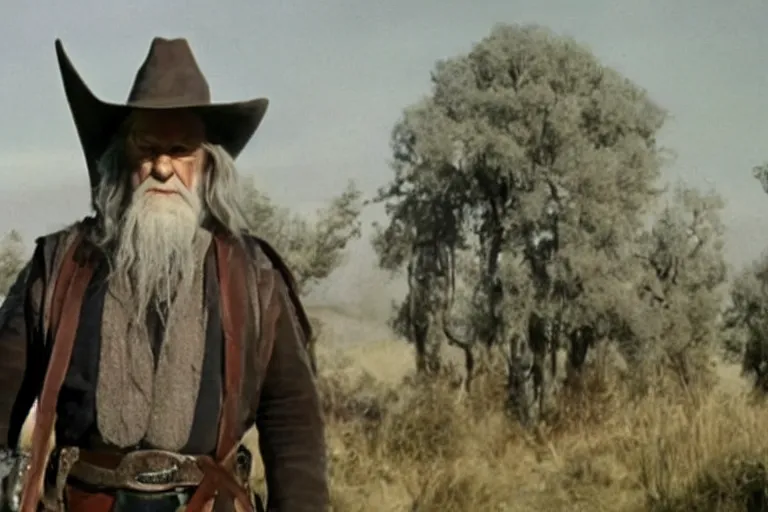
(525, 124)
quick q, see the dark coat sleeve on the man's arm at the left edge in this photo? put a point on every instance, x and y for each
(22, 348)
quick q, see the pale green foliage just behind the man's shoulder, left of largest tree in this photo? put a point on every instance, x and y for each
(312, 249)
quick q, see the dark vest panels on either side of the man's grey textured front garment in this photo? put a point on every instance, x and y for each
(76, 408)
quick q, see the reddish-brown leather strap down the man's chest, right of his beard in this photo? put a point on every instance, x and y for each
(217, 474)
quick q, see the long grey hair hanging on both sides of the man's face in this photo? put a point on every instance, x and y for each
(221, 194)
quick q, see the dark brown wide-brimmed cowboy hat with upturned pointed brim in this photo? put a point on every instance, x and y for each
(169, 78)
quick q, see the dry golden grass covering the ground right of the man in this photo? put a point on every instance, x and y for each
(399, 446)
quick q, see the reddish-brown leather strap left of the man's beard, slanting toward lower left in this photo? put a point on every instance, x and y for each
(68, 296)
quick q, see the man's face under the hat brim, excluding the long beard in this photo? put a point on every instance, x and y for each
(164, 152)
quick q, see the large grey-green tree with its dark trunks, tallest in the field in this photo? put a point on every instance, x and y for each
(540, 162)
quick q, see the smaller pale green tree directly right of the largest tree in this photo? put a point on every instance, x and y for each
(682, 284)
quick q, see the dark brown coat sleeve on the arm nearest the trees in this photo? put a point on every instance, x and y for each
(289, 419)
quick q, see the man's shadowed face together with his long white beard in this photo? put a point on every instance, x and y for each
(166, 161)
